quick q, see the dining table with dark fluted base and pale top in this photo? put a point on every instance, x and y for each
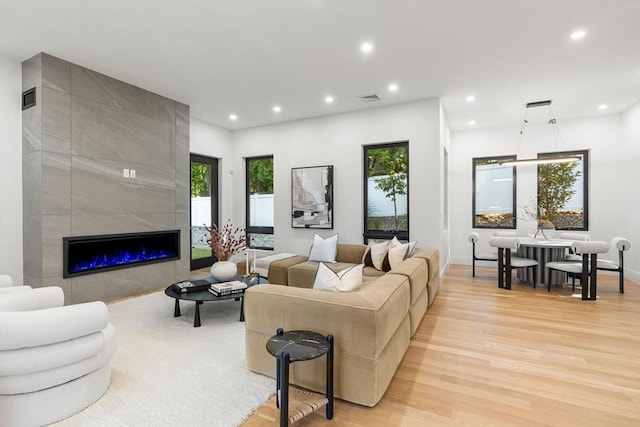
(543, 251)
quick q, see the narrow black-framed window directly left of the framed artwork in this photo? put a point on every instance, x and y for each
(259, 191)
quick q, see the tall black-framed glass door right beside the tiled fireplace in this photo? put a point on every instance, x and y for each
(204, 208)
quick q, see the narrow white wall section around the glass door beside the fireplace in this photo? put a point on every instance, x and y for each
(212, 141)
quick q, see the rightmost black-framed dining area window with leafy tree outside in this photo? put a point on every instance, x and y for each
(570, 182)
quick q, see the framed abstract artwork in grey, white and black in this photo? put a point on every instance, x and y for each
(312, 197)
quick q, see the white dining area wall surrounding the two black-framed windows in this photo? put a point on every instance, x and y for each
(613, 175)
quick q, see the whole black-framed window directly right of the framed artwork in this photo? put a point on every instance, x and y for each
(386, 191)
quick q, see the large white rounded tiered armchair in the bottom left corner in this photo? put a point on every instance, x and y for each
(54, 359)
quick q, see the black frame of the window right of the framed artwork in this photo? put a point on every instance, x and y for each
(382, 234)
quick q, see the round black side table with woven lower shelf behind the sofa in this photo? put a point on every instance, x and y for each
(294, 346)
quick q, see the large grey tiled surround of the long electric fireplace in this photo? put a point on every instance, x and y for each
(84, 130)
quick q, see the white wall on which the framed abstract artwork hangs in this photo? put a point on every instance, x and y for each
(337, 140)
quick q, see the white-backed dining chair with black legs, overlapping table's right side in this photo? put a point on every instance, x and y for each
(586, 269)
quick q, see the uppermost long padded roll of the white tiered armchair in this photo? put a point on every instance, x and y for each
(20, 329)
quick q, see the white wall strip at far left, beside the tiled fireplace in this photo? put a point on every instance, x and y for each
(11, 169)
